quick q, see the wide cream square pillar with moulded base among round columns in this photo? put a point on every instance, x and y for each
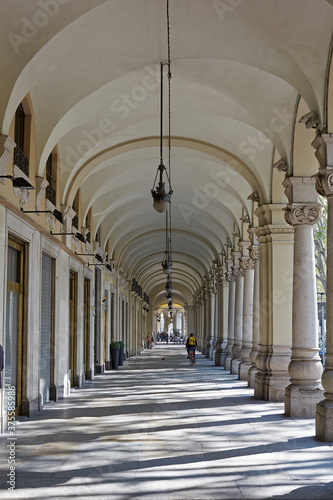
(275, 239)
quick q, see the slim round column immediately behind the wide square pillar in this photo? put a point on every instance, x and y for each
(254, 254)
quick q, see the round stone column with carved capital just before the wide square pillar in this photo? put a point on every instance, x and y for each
(305, 367)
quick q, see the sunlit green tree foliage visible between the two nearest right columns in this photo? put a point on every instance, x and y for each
(320, 241)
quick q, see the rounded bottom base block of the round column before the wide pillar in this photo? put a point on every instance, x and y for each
(301, 402)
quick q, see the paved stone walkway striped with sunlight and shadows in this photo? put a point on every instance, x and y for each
(158, 429)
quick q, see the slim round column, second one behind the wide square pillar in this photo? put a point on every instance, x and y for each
(247, 265)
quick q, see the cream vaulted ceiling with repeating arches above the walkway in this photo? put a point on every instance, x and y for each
(92, 69)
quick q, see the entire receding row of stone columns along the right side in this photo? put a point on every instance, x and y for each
(266, 302)
